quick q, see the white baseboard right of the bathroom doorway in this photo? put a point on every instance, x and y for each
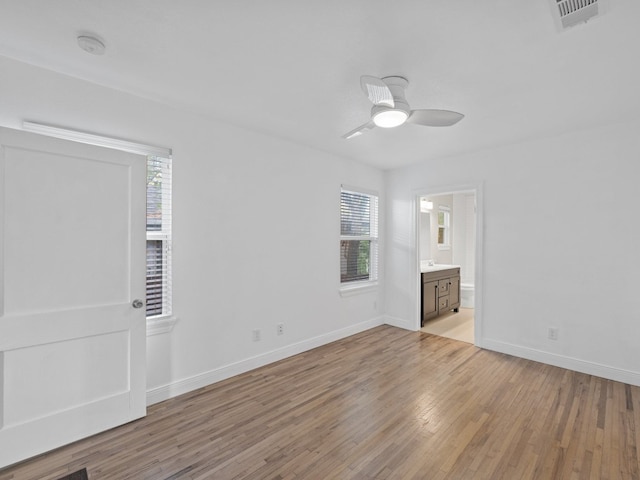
(590, 368)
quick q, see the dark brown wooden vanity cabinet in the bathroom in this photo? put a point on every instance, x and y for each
(440, 292)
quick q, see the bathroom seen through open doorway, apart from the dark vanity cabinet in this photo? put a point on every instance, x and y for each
(447, 230)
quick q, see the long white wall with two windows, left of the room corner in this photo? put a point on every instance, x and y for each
(256, 229)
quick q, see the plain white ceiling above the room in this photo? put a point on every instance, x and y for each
(291, 68)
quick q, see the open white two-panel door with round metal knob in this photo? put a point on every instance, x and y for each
(72, 262)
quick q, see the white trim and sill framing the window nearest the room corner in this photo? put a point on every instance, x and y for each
(362, 286)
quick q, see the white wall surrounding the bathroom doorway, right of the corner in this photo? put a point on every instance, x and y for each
(543, 203)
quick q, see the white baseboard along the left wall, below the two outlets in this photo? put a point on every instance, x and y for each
(159, 394)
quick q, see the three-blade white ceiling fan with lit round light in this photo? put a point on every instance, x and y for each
(390, 108)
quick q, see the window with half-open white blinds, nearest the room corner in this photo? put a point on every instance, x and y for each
(358, 237)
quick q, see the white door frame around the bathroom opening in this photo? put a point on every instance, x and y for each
(478, 191)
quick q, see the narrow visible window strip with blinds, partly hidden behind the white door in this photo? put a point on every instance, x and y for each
(158, 236)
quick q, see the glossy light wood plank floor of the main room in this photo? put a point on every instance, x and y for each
(387, 404)
